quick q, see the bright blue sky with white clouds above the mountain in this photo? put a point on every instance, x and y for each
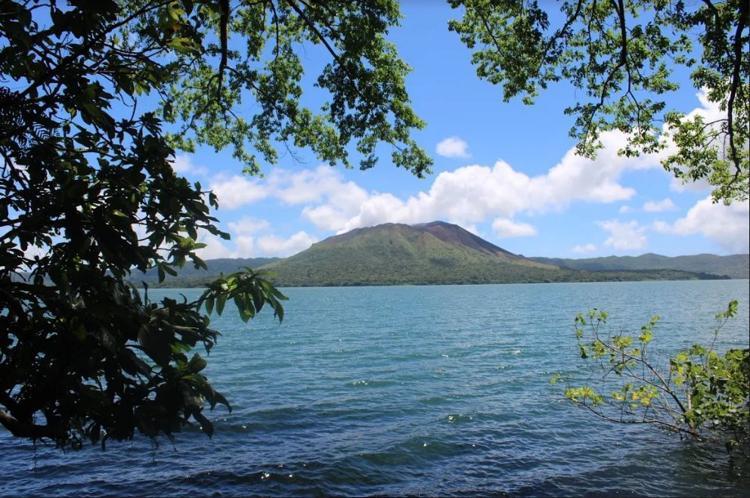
(505, 171)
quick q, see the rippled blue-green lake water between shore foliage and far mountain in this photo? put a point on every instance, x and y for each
(439, 390)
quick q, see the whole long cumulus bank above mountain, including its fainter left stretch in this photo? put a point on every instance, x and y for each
(468, 195)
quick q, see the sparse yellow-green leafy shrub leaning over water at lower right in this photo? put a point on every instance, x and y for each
(699, 393)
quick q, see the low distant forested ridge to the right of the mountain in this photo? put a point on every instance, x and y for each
(734, 266)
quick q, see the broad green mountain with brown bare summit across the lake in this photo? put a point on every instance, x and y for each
(431, 253)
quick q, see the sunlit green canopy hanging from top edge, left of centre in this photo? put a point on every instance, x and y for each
(212, 81)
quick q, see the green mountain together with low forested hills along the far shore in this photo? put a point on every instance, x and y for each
(443, 253)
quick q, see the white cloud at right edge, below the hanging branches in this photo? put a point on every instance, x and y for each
(726, 225)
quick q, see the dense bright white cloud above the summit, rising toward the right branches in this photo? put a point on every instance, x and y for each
(472, 194)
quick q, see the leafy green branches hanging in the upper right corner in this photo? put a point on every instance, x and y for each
(622, 55)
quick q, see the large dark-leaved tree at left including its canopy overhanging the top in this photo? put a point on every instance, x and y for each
(88, 194)
